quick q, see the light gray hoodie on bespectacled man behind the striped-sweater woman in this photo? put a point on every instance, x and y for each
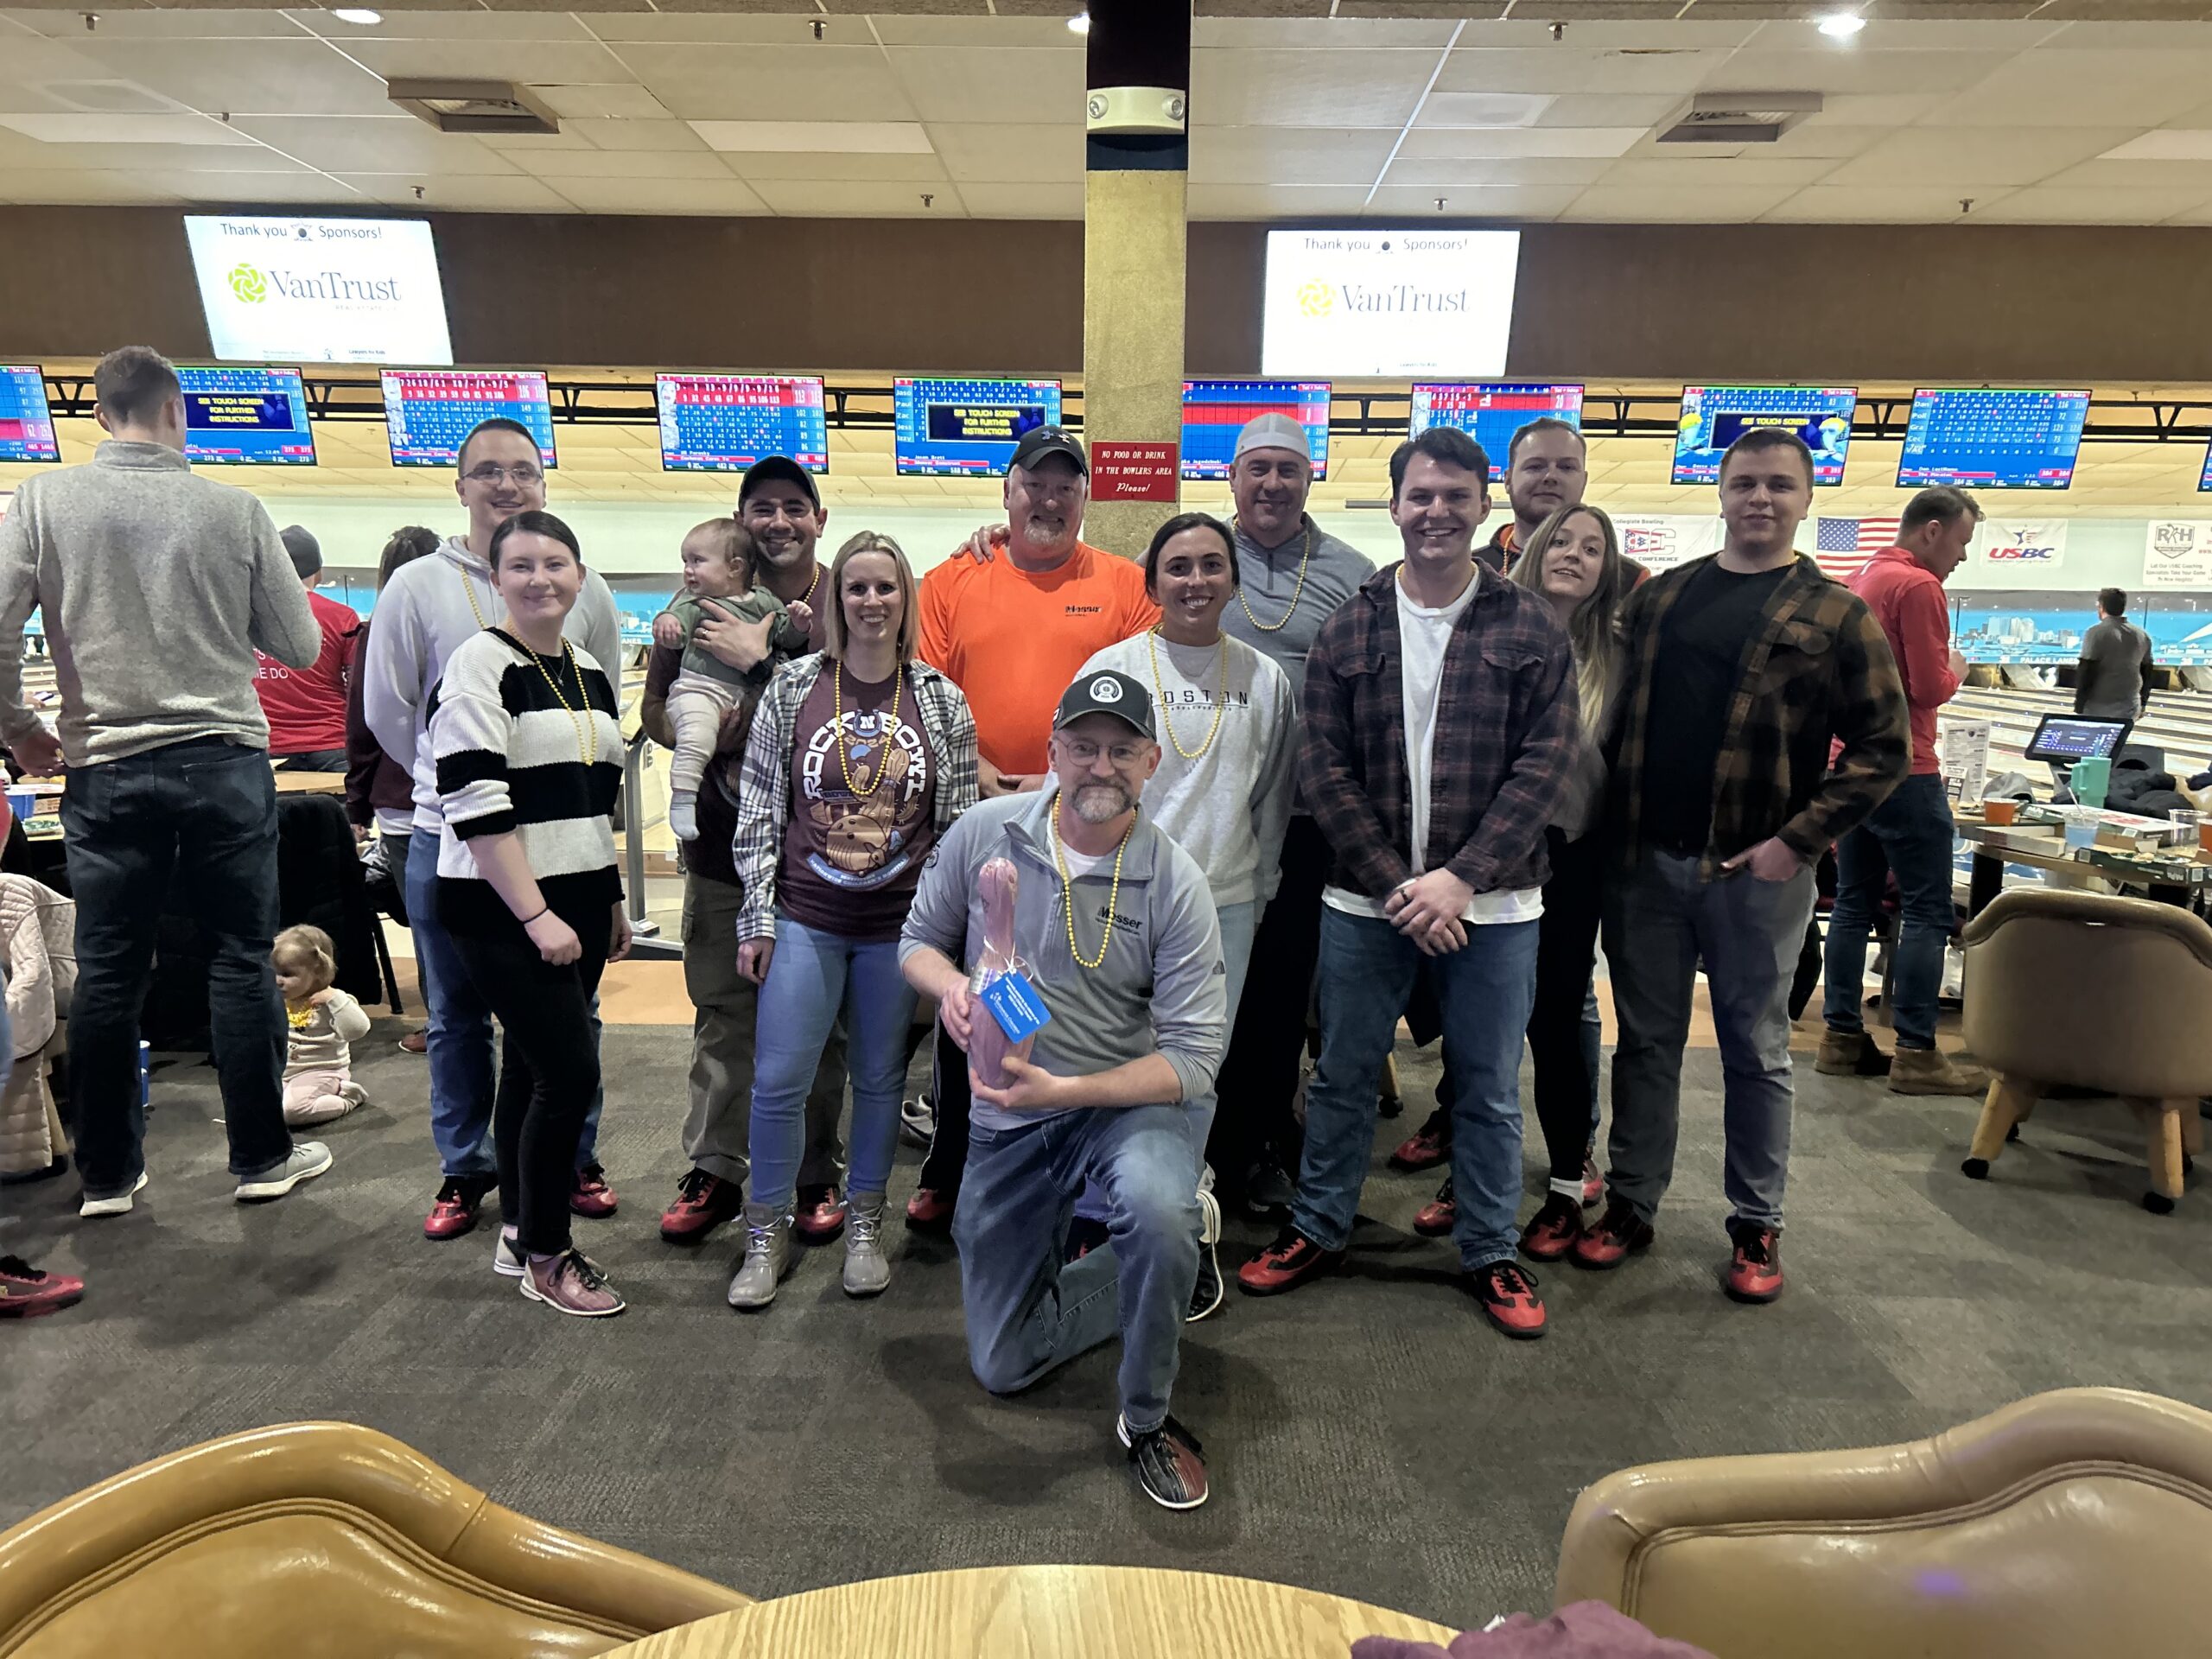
(421, 618)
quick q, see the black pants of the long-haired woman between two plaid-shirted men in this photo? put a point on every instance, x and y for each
(1565, 957)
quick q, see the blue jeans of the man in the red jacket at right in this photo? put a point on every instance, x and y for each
(1910, 835)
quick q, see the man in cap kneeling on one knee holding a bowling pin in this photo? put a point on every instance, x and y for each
(1116, 930)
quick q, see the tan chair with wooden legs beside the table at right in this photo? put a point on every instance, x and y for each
(2098, 992)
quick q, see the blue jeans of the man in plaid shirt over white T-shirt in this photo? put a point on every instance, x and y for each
(1485, 992)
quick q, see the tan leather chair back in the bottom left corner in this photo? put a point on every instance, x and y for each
(320, 1538)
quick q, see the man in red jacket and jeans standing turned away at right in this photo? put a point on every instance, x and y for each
(1910, 835)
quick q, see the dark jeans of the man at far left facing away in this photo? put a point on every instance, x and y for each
(196, 822)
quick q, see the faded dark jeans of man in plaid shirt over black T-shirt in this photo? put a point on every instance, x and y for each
(1660, 921)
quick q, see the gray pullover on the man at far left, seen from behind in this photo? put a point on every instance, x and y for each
(158, 587)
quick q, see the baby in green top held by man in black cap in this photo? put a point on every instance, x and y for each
(718, 581)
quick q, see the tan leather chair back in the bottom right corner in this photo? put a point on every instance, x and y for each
(2067, 1525)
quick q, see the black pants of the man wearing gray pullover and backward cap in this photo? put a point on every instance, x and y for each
(1260, 1074)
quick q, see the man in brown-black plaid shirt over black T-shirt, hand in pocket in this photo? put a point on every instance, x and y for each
(1742, 671)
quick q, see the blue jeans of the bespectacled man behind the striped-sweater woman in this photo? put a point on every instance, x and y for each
(461, 1036)
